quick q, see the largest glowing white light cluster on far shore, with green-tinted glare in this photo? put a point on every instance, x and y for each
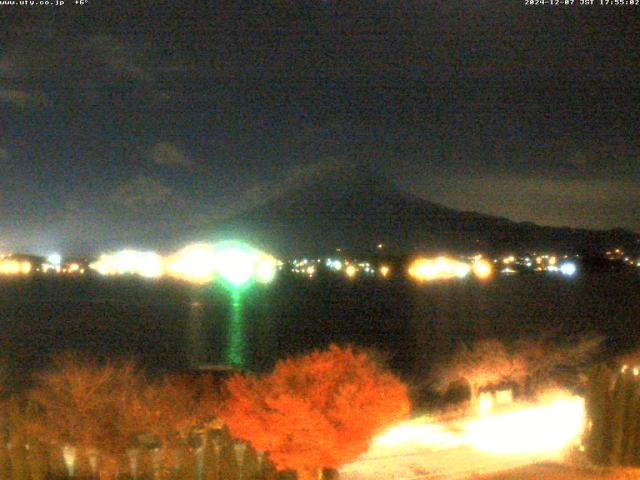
(199, 263)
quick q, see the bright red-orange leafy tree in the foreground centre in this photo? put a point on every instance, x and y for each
(315, 411)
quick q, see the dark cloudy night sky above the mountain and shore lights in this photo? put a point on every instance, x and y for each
(121, 120)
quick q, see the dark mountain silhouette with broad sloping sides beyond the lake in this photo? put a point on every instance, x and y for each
(355, 209)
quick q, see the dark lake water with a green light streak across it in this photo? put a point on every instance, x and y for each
(169, 326)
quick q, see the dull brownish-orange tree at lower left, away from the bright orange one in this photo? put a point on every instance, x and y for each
(78, 403)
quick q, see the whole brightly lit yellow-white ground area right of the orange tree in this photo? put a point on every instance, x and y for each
(519, 435)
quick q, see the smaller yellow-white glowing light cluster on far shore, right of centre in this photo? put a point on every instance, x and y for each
(443, 268)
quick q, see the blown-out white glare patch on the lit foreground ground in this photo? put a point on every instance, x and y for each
(549, 426)
